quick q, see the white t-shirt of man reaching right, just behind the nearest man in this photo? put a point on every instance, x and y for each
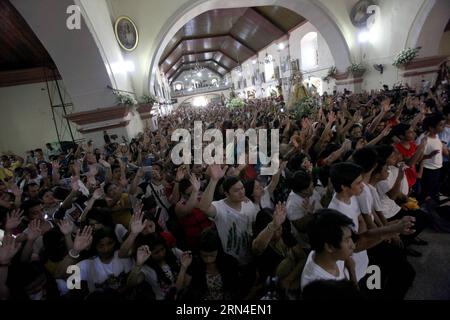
(353, 211)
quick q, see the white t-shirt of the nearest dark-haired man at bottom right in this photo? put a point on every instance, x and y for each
(312, 271)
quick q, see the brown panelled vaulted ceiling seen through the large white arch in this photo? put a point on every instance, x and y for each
(221, 39)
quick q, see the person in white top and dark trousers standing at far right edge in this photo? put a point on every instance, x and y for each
(434, 151)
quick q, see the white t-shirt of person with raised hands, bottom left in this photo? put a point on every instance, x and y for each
(100, 276)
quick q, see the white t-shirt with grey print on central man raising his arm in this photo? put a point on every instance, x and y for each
(235, 229)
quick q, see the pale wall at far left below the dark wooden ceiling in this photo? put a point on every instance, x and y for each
(26, 122)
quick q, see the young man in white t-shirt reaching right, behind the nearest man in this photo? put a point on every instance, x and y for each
(347, 180)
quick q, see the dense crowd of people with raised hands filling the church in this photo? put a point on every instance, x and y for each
(360, 177)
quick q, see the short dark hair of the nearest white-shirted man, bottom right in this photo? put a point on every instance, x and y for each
(326, 227)
